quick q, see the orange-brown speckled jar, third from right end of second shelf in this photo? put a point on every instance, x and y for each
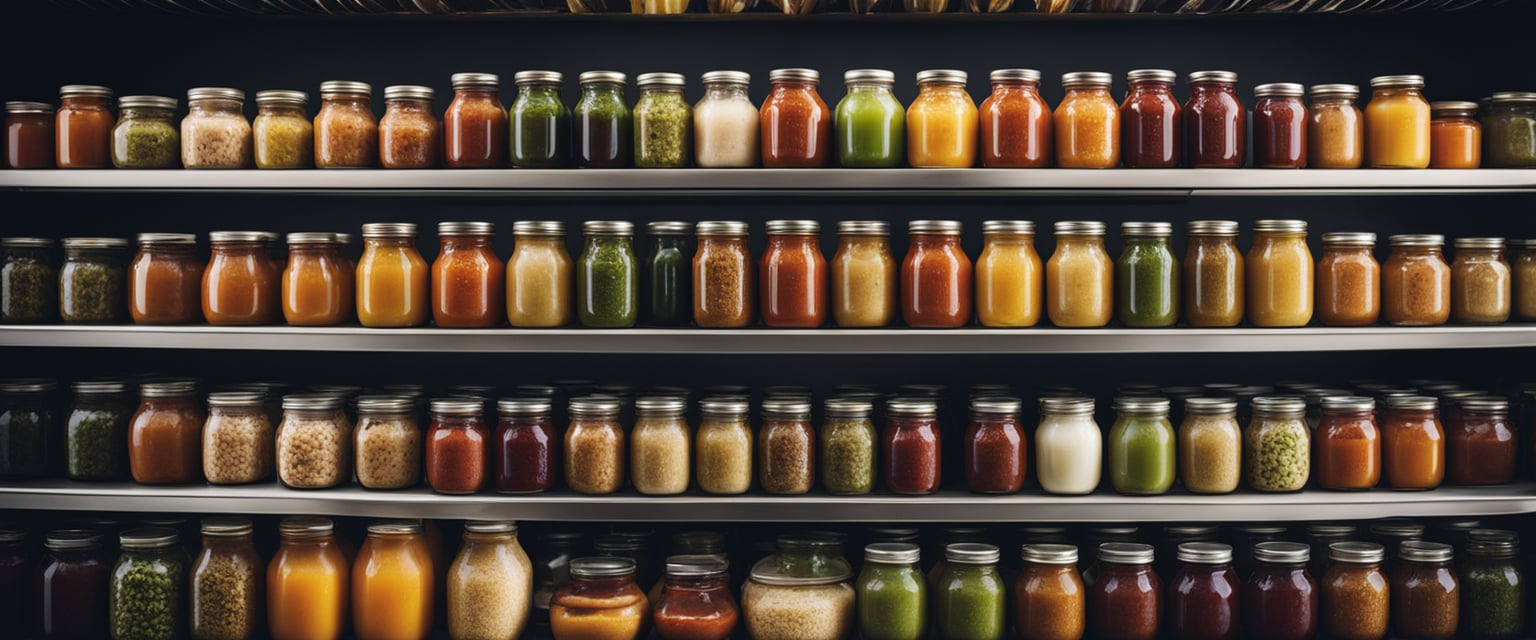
(1417, 283)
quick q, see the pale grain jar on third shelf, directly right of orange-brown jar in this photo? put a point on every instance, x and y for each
(237, 440)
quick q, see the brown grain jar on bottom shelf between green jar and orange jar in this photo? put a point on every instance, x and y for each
(227, 579)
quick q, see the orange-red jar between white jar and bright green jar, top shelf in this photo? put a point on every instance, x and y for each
(796, 125)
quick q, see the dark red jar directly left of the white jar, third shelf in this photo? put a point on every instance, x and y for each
(995, 447)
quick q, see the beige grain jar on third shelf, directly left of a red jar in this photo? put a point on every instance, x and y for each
(388, 443)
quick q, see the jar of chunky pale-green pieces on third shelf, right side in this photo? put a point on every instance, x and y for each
(1277, 444)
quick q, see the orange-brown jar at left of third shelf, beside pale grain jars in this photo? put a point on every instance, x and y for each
(165, 438)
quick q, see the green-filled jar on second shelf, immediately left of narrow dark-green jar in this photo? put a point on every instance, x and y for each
(607, 280)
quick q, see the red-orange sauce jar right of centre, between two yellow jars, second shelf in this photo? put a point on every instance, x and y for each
(936, 277)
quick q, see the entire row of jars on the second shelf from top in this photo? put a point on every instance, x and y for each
(938, 286)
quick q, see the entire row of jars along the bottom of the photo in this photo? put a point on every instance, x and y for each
(319, 587)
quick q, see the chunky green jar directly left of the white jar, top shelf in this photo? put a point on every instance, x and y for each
(663, 124)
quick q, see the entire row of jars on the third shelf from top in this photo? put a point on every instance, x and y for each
(1400, 440)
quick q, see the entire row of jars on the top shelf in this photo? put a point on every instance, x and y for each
(793, 128)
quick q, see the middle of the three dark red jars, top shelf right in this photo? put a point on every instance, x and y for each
(1216, 124)
